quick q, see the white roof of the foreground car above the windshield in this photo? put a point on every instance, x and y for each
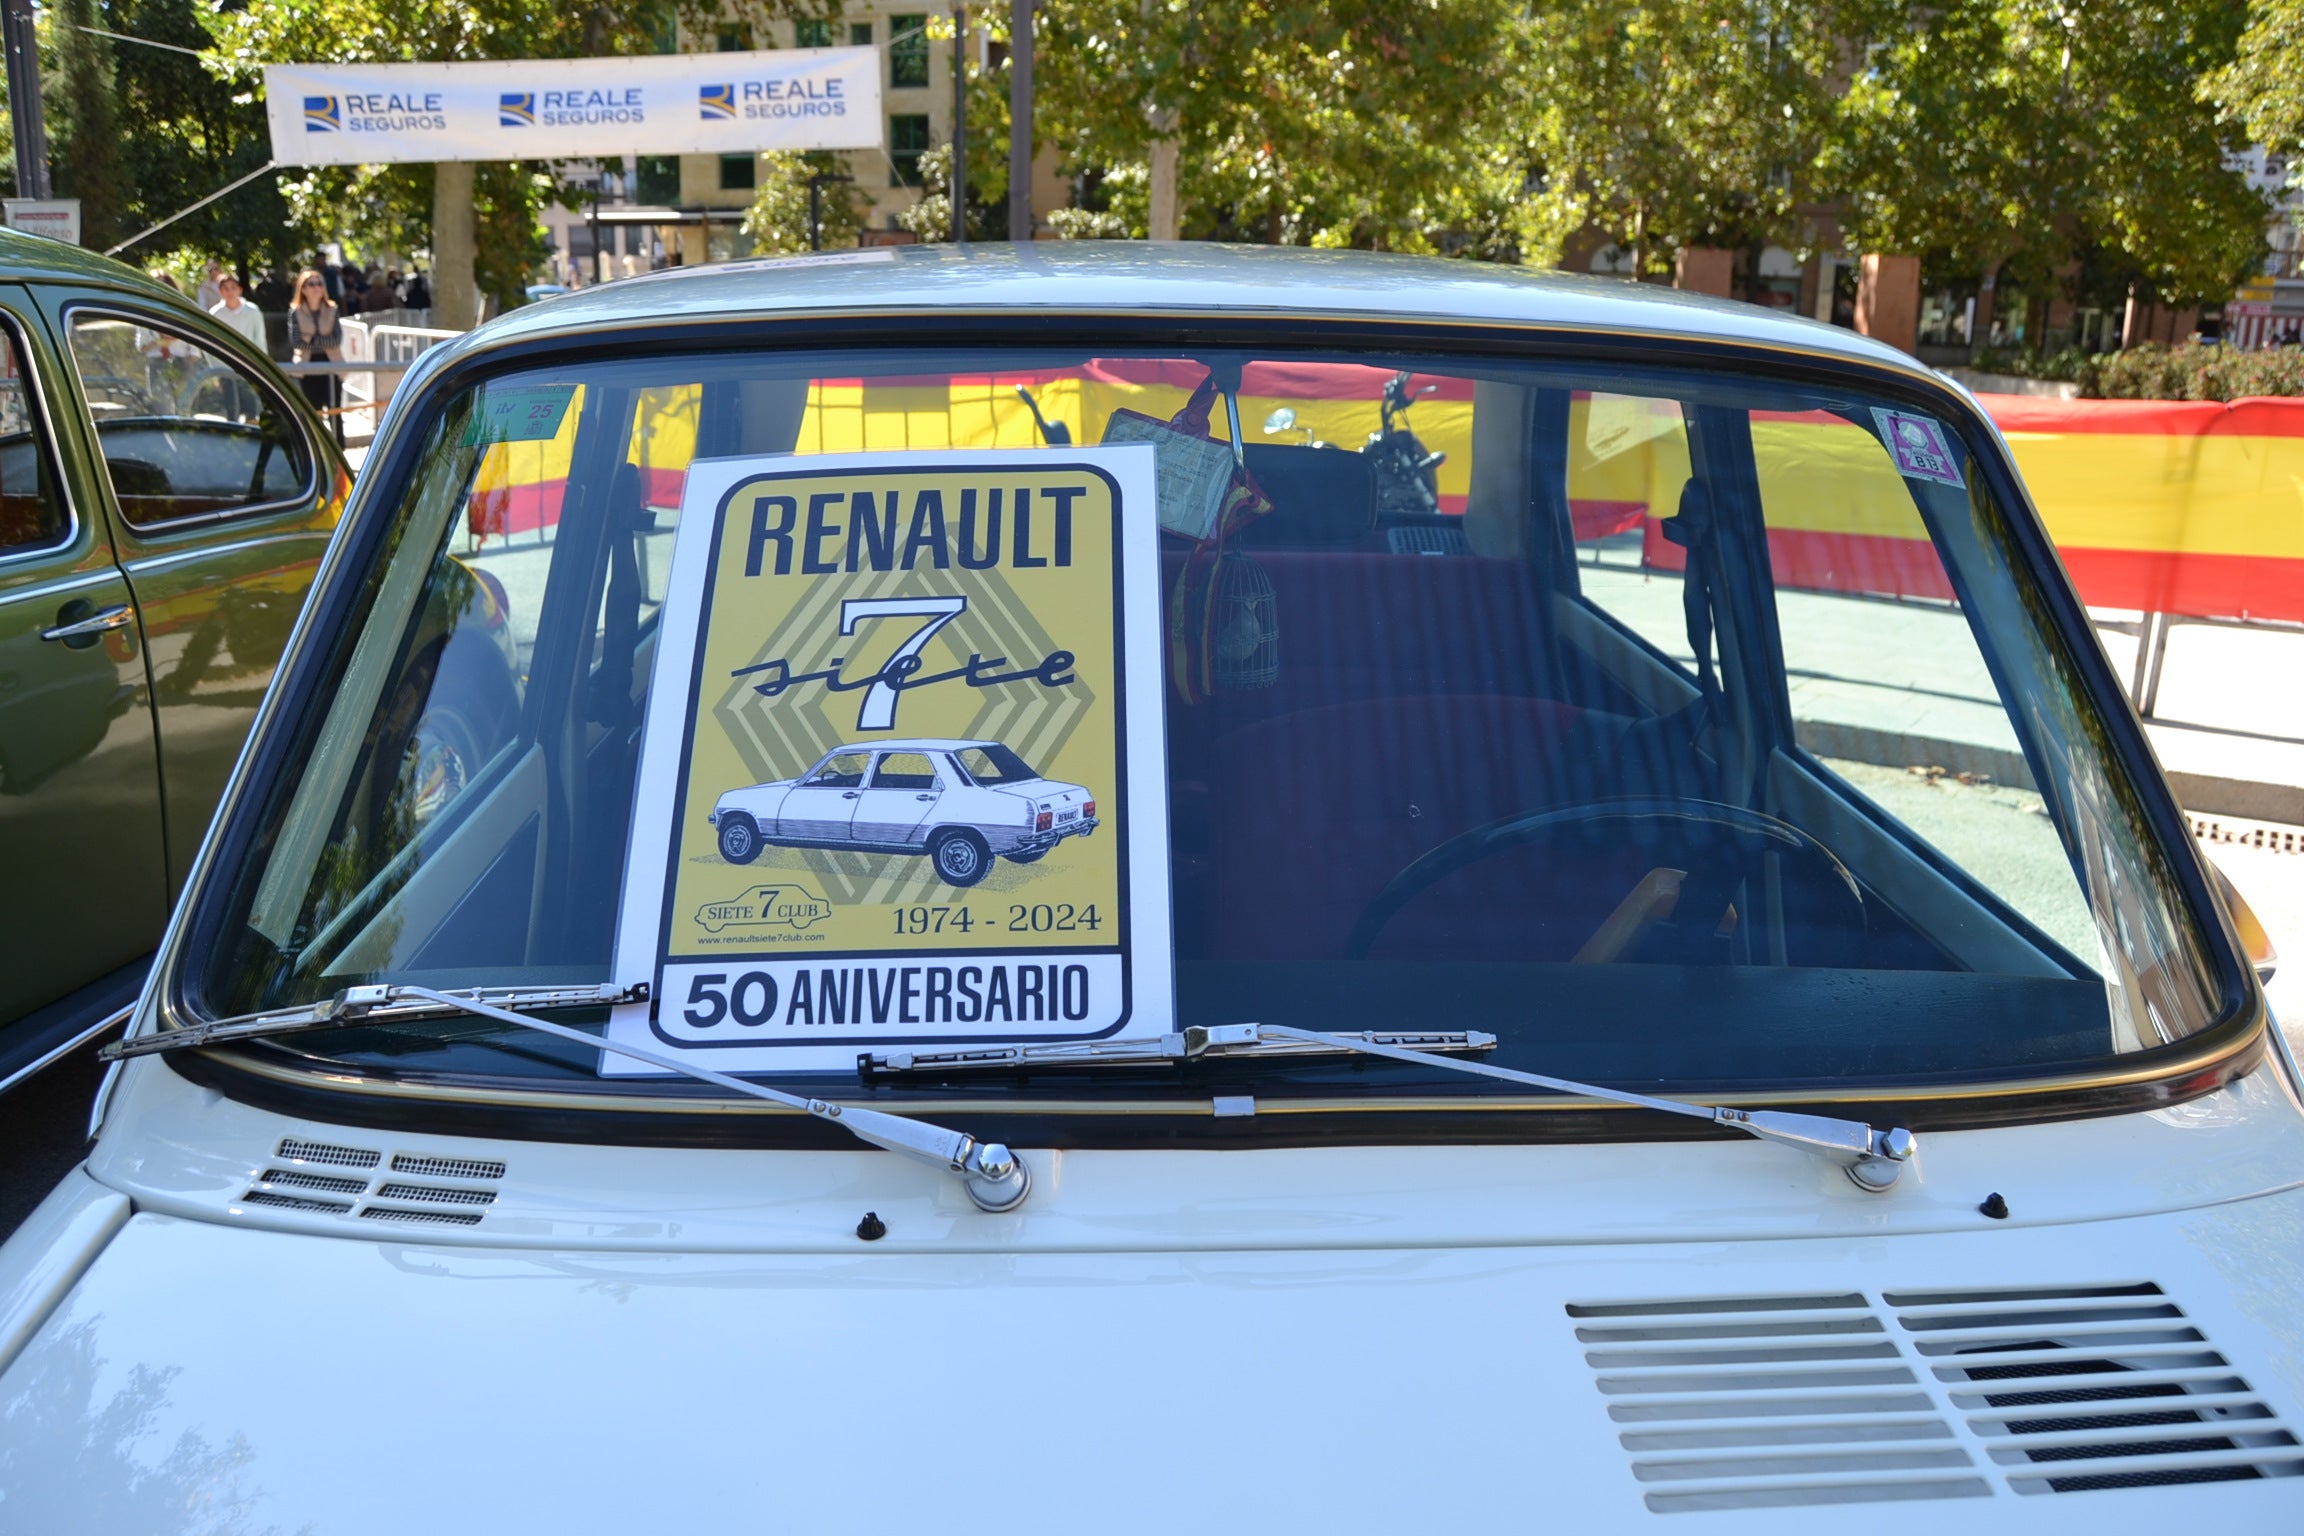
(1135, 277)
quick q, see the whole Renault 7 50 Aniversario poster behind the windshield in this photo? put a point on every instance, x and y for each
(902, 775)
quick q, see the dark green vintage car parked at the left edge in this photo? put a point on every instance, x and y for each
(165, 499)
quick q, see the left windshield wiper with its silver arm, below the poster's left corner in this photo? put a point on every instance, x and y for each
(994, 1176)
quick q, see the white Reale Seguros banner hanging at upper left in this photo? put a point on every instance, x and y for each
(575, 109)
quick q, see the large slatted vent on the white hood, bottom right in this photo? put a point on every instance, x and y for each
(1847, 1399)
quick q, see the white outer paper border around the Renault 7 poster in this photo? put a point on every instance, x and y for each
(665, 736)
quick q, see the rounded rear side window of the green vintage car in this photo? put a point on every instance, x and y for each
(185, 434)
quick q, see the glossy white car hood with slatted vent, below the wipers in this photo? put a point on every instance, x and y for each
(215, 1376)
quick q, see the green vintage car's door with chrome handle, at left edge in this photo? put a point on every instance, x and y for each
(84, 879)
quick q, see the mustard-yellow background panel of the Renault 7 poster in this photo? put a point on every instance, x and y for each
(801, 902)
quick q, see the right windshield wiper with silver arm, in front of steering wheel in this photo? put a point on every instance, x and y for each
(1874, 1159)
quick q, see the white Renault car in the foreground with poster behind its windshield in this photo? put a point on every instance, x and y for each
(1584, 1079)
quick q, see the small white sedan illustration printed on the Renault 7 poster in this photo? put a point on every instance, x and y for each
(960, 803)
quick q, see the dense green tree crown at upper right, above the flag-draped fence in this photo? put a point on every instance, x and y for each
(2022, 137)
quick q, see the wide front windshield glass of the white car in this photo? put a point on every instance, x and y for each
(1688, 729)
